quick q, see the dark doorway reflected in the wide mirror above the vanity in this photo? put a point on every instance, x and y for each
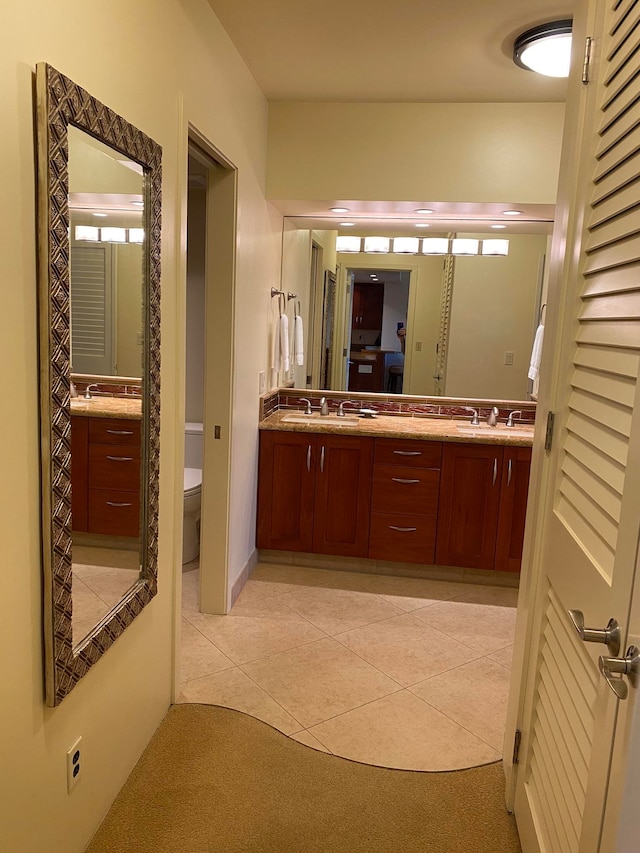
(376, 329)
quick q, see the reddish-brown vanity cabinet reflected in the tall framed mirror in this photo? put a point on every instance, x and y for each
(105, 475)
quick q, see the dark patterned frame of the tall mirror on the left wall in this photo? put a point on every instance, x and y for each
(60, 102)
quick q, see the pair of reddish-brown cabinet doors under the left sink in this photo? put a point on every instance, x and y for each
(314, 493)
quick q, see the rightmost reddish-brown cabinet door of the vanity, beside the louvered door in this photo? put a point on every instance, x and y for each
(513, 508)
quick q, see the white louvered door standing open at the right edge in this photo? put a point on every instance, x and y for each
(592, 518)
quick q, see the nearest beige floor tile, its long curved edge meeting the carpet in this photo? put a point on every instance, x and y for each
(404, 732)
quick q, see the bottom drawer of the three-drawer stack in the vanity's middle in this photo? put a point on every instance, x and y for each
(403, 538)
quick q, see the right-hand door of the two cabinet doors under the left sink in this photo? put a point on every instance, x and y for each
(342, 495)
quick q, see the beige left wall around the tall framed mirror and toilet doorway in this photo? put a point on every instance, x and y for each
(160, 66)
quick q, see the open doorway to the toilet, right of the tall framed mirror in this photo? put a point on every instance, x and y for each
(211, 234)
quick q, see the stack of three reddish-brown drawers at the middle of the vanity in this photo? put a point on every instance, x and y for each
(404, 502)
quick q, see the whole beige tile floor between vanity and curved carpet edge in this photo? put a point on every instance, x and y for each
(397, 672)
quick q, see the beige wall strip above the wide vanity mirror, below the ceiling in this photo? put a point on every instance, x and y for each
(430, 152)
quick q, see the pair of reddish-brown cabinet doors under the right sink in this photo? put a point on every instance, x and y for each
(483, 498)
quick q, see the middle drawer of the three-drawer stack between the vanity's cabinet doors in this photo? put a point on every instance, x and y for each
(405, 490)
